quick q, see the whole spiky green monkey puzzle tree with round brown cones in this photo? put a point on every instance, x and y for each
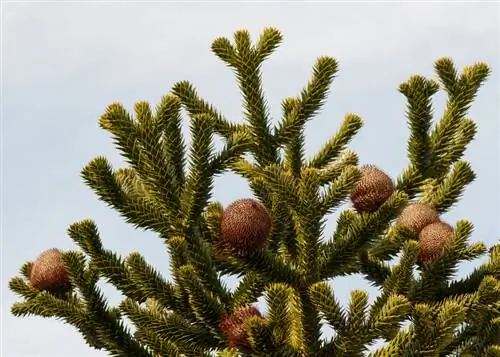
(273, 241)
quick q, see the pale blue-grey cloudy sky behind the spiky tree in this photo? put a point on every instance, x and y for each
(64, 62)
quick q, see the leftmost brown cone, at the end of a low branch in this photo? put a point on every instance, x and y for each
(49, 272)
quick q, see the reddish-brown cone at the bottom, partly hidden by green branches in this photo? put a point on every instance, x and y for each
(233, 326)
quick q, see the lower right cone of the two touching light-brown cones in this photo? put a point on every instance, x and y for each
(433, 240)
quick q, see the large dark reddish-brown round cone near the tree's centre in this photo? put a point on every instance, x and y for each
(245, 226)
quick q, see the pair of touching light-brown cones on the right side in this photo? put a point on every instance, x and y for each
(433, 235)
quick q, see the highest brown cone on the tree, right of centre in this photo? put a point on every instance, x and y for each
(372, 189)
